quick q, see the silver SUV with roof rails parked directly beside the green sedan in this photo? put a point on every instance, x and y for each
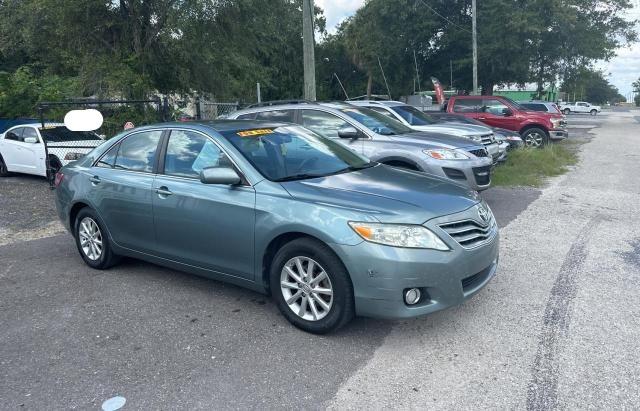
(385, 140)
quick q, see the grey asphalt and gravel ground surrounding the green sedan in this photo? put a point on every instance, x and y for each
(557, 328)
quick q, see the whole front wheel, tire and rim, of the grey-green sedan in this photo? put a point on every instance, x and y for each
(311, 286)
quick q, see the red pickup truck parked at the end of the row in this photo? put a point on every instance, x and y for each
(535, 127)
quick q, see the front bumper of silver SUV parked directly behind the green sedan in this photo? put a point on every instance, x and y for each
(474, 173)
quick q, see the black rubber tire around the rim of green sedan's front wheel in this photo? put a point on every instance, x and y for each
(342, 308)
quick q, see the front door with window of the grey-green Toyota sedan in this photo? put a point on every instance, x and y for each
(204, 225)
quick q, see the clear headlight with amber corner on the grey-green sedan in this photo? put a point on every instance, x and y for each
(399, 235)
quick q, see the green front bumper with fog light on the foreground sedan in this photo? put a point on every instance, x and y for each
(380, 274)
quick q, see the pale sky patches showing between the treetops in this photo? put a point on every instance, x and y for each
(624, 69)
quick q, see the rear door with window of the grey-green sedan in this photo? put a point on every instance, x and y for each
(122, 181)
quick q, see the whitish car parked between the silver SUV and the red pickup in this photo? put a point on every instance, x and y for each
(418, 120)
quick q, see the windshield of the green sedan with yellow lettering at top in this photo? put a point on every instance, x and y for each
(294, 153)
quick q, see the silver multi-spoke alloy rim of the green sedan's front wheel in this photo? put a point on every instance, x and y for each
(306, 288)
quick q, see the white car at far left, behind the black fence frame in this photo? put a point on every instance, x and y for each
(22, 147)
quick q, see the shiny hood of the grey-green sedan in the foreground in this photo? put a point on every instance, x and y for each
(389, 194)
